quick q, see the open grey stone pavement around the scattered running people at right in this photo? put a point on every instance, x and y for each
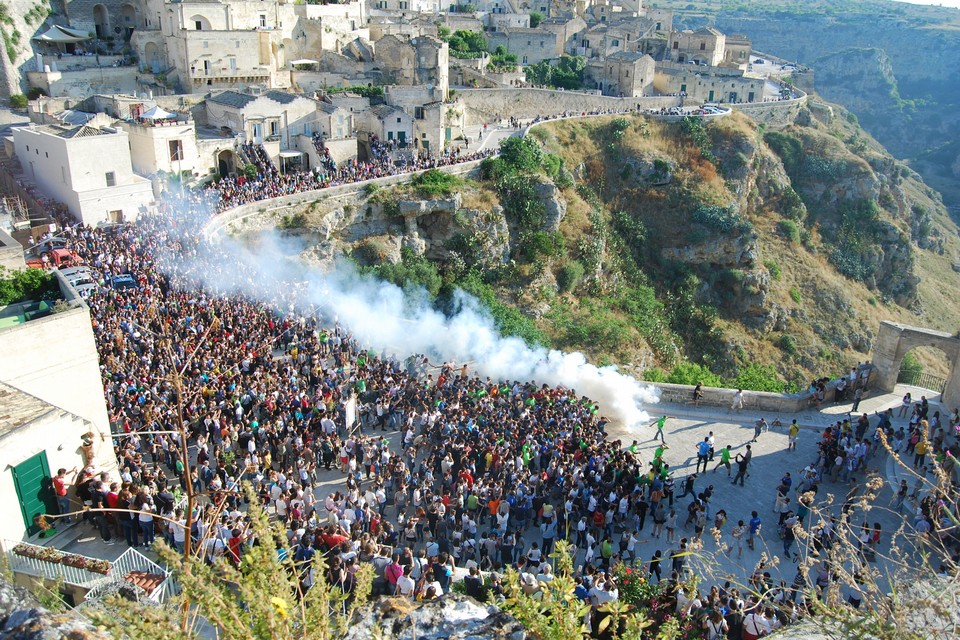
(688, 425)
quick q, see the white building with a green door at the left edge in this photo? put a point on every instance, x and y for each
(51, 394)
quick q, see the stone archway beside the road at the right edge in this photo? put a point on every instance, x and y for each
(895, 340)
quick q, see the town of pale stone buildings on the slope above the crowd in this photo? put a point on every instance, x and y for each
(196, 92)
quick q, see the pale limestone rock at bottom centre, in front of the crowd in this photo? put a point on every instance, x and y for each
(452, 617)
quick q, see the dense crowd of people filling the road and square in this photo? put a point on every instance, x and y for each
(444, 471)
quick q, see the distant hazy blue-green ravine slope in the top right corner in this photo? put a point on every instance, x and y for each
(893, 65)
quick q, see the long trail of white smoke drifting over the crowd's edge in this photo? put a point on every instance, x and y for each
(384, 317)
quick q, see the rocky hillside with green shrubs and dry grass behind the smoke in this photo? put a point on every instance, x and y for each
(721, 251)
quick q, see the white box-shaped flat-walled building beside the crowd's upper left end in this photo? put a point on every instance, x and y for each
(87, 169)
